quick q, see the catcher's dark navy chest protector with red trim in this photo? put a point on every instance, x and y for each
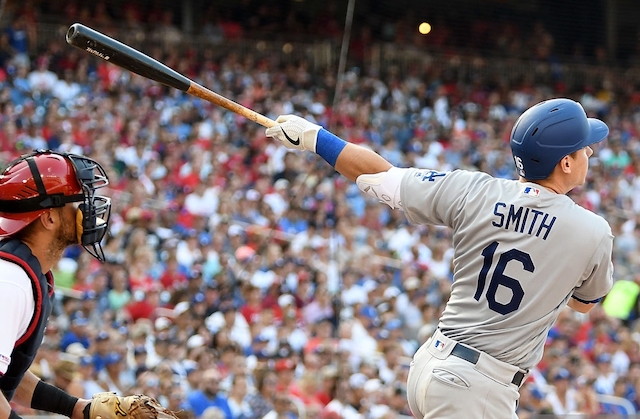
(27, 346)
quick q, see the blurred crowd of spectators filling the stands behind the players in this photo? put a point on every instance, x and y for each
(247, 281)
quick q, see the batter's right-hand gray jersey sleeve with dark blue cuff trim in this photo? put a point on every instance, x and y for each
(599, 280)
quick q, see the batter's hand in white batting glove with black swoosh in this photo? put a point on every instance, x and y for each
(294, 132)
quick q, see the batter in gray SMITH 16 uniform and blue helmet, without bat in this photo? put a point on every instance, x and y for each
(523, 251)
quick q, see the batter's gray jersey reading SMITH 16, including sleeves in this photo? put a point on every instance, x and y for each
(521, 251)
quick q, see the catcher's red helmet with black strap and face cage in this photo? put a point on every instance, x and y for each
(46, 179)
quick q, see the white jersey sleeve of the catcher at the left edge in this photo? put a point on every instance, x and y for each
(17, 304)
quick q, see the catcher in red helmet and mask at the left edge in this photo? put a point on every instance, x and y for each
(48, 202)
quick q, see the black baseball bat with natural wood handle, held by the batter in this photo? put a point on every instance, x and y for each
(115, 52)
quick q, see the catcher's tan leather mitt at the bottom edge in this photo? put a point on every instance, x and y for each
(110, 406)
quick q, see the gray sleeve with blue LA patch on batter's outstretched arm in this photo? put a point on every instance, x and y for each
(432, 197)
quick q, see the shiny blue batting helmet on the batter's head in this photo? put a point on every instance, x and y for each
(547, 132)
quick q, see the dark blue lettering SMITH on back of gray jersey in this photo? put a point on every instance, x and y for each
(523, 220)
